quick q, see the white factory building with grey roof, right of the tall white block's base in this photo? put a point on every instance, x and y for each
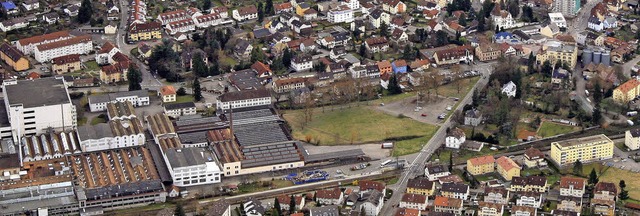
(111, 135)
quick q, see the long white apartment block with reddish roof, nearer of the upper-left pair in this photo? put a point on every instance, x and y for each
(77, 45)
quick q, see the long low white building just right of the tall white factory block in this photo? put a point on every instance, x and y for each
(98, 103)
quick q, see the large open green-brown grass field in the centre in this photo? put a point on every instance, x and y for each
(358, 125)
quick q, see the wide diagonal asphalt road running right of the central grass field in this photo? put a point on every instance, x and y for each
(434, 143)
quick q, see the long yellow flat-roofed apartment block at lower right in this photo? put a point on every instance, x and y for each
(584, 149)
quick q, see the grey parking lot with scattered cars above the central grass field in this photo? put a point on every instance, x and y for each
(431, 108)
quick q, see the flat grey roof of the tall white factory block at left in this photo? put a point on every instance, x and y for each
(38, 92)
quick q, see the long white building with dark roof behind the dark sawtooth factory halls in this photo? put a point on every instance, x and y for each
(240, 99)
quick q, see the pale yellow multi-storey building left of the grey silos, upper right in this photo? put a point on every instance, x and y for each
(558, 51)
